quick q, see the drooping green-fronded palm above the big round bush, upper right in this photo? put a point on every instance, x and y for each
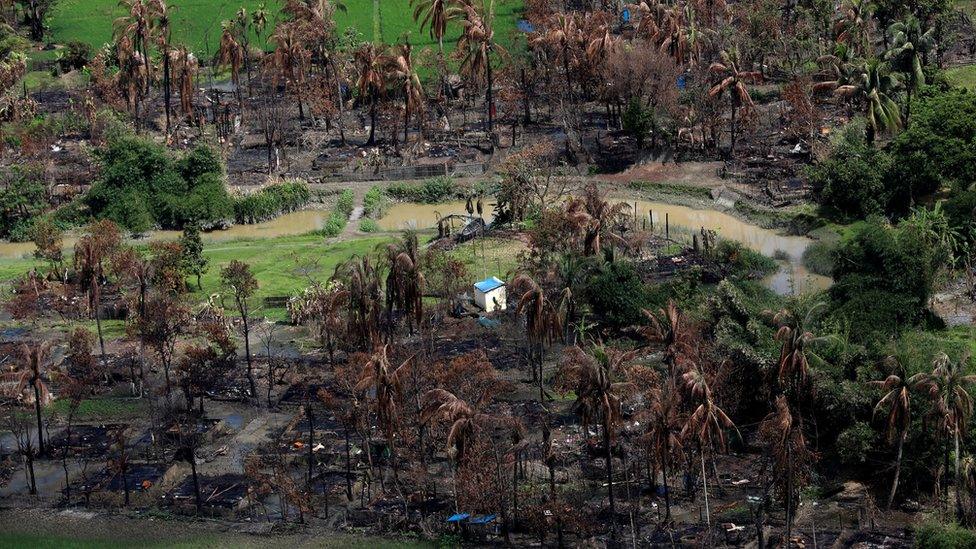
(873, 87)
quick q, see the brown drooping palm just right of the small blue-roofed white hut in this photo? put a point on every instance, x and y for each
(542, 324)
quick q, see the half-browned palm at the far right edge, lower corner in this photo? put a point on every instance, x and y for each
(952, 404)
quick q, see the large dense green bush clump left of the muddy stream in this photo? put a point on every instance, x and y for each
(142, 185)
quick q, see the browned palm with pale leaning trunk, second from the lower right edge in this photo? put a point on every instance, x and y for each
(897, 387)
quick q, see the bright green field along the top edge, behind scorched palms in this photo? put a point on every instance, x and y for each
(197, 22)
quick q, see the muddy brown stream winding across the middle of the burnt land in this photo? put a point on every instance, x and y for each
(792, 276)
